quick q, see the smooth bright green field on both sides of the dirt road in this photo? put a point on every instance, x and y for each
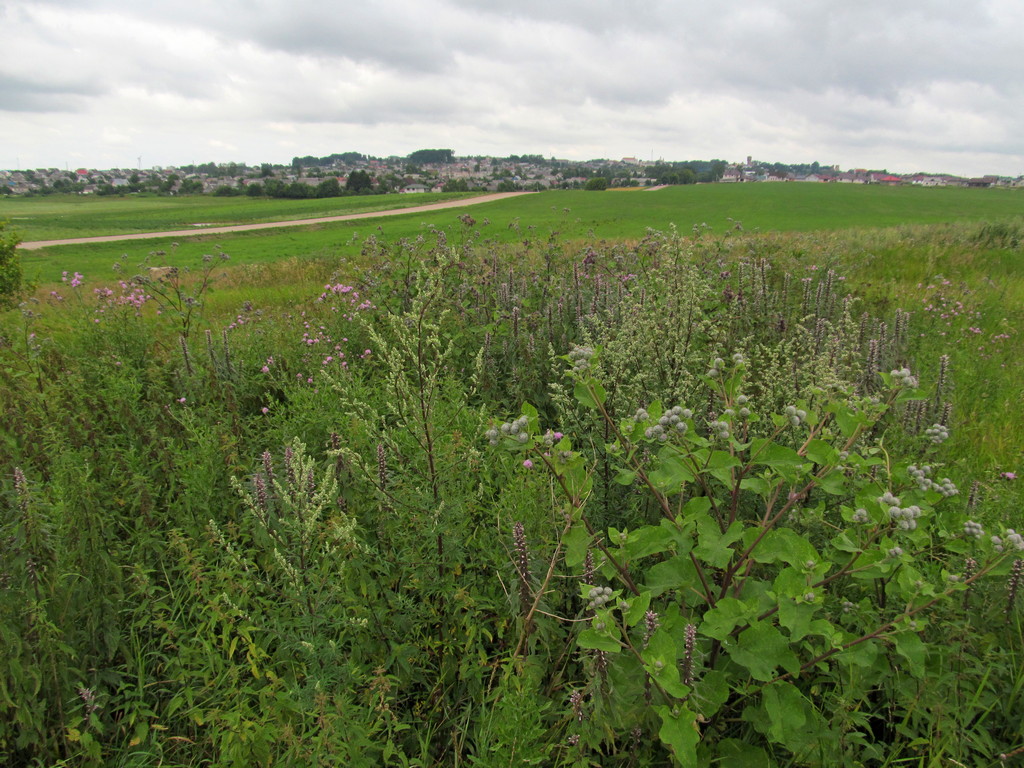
(575, 217)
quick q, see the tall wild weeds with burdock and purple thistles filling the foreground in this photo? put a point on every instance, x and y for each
(695, 499)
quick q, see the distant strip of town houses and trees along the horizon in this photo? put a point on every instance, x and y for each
(442, 170)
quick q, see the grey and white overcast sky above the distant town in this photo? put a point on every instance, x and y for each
(909, 86)
